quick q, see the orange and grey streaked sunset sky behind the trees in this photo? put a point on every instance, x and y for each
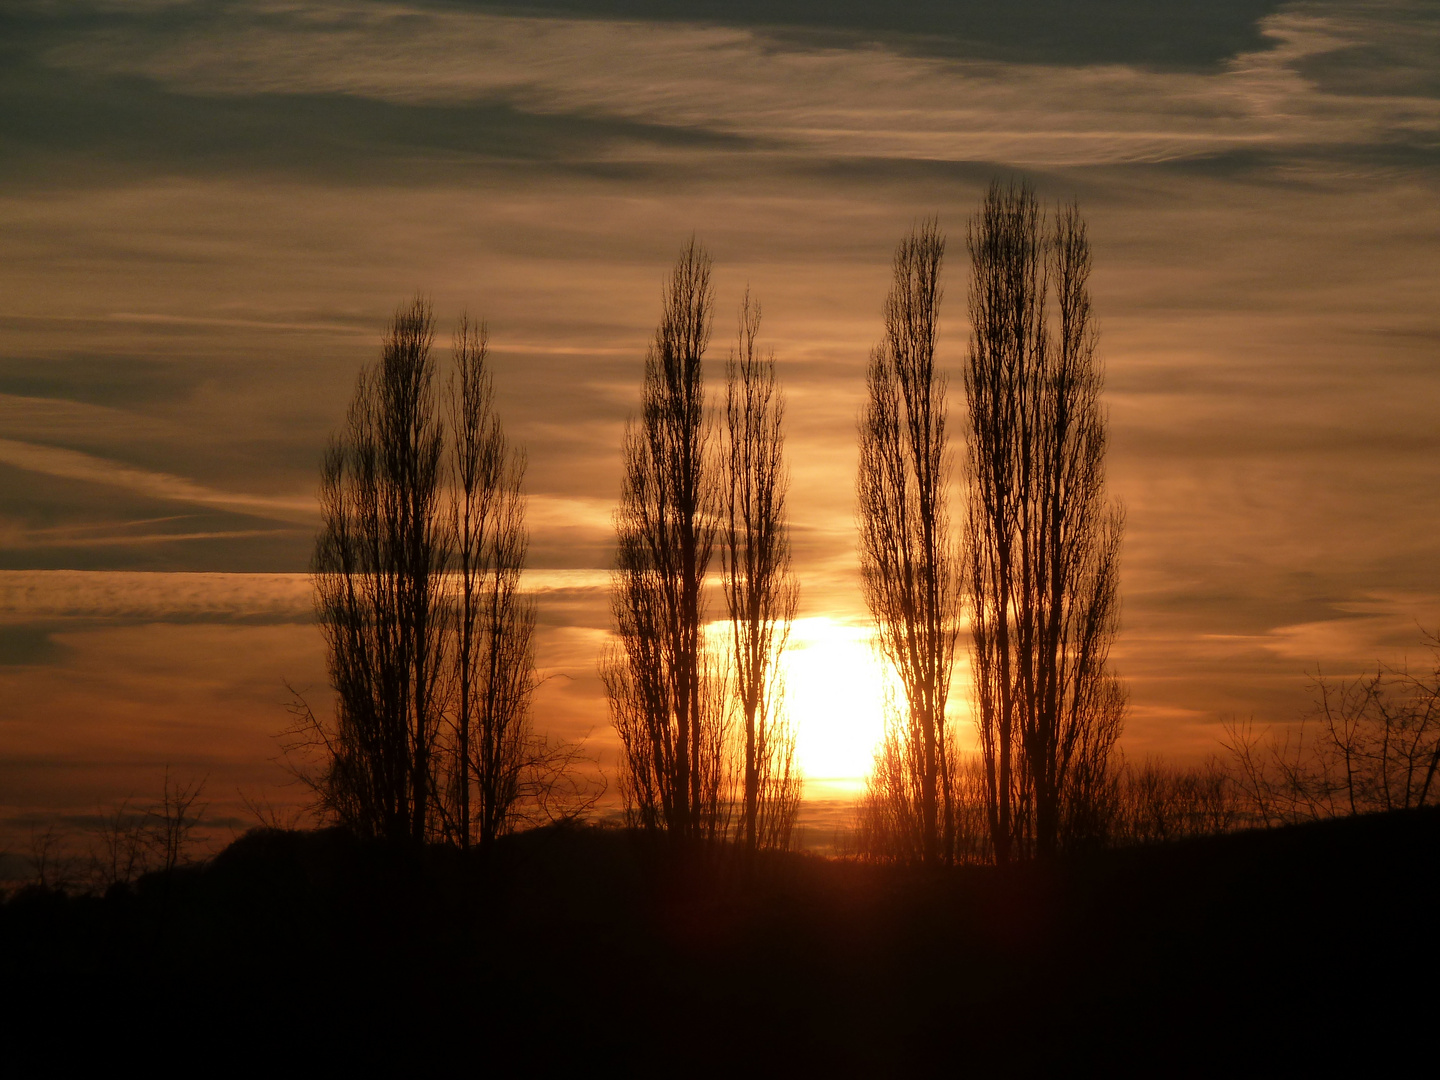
(211, 211)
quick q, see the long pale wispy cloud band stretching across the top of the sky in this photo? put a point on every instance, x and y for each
(832, 100)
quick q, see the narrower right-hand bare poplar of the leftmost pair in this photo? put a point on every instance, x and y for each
(495, 626)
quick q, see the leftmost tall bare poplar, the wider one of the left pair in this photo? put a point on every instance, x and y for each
(379, 593)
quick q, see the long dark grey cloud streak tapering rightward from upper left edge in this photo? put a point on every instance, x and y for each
(81, 130)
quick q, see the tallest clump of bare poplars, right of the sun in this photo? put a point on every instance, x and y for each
(1036, 570)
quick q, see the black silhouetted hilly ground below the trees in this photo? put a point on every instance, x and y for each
(581, 950)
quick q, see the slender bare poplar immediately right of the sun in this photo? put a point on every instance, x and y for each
(908, 564)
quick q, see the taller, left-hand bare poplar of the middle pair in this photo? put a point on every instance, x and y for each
(660, 678)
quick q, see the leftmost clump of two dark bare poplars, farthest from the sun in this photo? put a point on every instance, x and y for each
(428, 636)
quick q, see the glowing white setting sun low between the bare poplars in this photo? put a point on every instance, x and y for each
(834, 692)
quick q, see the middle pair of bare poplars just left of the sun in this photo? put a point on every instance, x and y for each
(702, 724)
